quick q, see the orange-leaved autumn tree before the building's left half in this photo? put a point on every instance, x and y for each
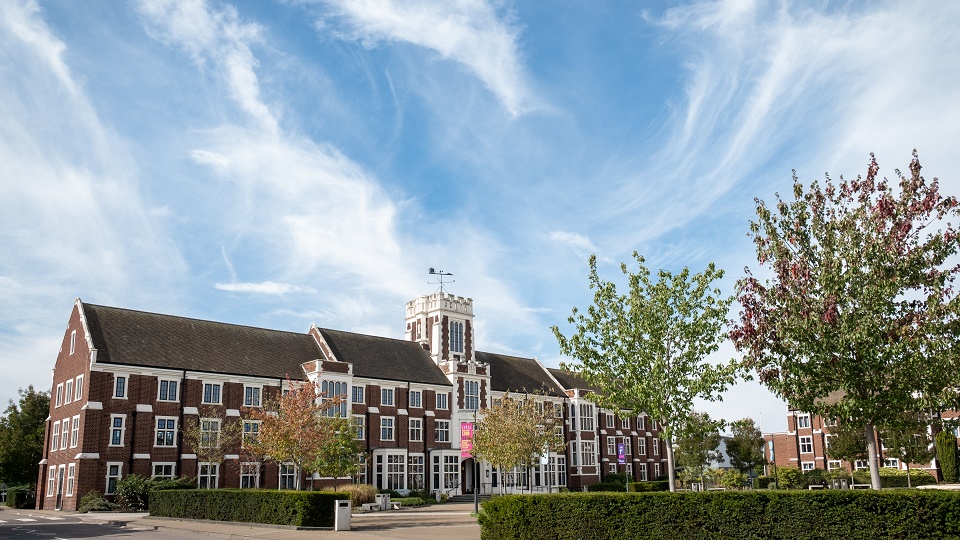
(292, 429)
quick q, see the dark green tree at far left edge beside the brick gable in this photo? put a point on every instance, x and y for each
(21, 436)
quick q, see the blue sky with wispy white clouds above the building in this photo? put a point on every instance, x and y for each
(282, 164)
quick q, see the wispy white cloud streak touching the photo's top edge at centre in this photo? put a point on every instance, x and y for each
(470, 32)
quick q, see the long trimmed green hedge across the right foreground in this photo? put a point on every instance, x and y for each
(733, 514)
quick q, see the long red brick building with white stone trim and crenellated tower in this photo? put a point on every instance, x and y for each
(127, 383)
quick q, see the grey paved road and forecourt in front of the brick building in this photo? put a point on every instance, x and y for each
(449, 521)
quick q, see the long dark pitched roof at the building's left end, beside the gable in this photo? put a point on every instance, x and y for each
(125, 336)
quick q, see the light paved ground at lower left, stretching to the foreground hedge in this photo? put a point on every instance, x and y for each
(437, 522)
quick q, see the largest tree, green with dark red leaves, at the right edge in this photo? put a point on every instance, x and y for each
(860, 302)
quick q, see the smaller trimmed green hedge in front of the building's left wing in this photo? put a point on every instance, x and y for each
(298, 508)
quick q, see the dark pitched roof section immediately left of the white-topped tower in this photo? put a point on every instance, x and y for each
(384, 358)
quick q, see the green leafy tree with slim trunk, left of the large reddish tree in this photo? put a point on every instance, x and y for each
(646, 351)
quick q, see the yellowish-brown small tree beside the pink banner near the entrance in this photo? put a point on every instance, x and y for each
(515, 433)
